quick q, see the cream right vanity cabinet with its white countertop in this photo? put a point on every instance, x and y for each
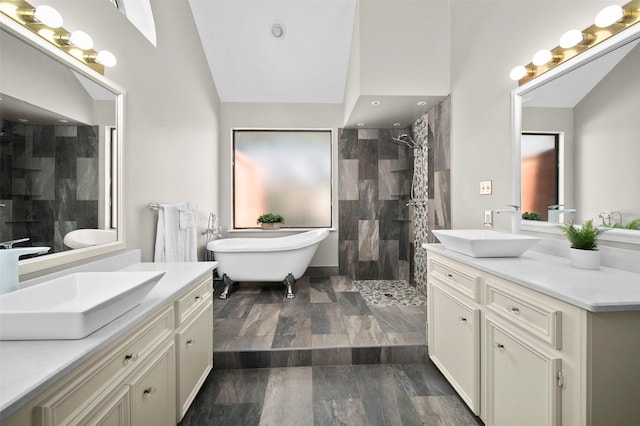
(533, 341)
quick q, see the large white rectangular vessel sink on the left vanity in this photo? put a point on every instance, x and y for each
(73, 306)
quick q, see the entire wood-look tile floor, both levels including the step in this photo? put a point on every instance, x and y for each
(334, 355)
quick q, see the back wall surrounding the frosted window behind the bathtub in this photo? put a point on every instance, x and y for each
(278, 116)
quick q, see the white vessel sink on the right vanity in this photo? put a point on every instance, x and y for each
(485, 243)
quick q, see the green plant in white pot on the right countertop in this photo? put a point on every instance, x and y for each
(584, 244)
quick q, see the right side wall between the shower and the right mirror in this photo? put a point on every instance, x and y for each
(488, 38)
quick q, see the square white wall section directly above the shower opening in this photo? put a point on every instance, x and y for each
(404, 47)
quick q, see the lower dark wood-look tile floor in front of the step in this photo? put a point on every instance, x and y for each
(397, 394)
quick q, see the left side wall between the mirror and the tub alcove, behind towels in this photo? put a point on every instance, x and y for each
(172, 110)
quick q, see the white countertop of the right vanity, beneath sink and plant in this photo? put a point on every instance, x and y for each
(601, 290)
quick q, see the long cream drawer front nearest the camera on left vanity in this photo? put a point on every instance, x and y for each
(79, 396)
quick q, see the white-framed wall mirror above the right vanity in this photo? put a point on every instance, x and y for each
(589, 106)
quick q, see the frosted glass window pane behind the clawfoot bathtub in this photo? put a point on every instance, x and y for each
(284, 171)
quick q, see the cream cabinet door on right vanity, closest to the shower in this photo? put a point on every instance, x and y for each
(454, 342)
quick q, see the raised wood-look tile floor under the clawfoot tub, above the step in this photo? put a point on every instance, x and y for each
(326, 312)
